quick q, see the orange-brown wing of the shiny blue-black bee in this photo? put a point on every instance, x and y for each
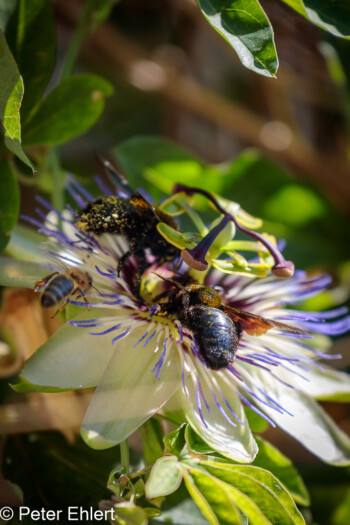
(255, 325)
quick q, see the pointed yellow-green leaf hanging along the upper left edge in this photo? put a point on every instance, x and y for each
(11, 94)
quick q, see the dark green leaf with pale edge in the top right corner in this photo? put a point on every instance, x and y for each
(331, 15)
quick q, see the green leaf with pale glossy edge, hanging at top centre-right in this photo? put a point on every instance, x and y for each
(245, 26)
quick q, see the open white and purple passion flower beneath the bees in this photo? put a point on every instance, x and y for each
(142, 362)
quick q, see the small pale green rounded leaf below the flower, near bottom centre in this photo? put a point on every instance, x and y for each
(165, 477)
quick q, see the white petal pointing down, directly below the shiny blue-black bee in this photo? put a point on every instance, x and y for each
(234, 442)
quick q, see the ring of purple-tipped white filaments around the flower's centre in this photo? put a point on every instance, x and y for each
(254, 355)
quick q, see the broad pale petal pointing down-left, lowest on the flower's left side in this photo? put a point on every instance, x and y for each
(129, 392)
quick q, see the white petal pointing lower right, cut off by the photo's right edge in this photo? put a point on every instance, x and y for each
(309, 423)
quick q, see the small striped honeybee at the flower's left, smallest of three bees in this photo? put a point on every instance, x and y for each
(61, 286)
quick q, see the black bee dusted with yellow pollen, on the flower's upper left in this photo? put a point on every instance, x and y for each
(135, 218)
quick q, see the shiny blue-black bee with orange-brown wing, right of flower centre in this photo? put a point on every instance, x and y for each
(216, 328)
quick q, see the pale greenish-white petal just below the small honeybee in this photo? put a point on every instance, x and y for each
(72, 358)
